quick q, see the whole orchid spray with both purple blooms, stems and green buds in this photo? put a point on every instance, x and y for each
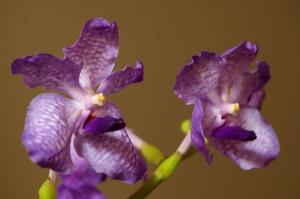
(83, 138)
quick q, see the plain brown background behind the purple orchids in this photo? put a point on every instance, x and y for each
(164, 35)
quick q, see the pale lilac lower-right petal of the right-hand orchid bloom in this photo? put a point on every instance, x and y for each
(253, 154)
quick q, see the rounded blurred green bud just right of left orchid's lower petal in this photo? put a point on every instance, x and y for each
(152, 154)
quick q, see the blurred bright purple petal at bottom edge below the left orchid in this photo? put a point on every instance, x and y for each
(83, 192)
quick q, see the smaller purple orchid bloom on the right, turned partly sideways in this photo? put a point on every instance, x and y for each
(226, 96)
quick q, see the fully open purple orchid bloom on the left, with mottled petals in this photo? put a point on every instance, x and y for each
(86, 121)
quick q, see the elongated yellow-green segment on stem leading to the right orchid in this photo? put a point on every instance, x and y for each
(168, 166)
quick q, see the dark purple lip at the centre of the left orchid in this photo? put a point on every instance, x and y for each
(104, 124)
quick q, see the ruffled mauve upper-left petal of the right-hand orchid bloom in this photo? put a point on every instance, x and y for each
(199, 77)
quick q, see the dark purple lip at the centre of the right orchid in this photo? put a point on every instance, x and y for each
(234, 133)
